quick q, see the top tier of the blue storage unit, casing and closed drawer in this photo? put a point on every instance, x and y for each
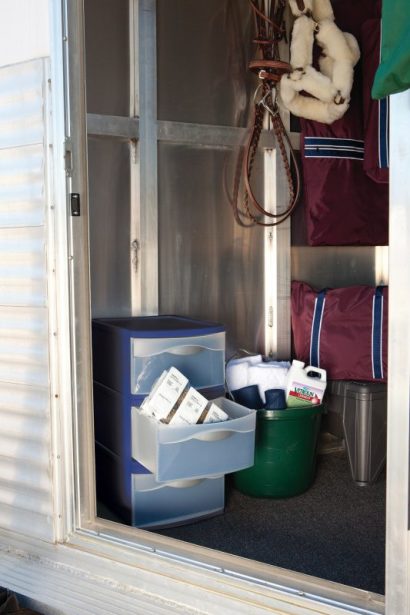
(130, 353)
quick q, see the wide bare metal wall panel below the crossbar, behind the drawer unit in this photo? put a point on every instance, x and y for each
(210, 267)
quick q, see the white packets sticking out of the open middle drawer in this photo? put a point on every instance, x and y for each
(173, 401)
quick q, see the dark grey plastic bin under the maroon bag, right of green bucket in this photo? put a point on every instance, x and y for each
(357, 412)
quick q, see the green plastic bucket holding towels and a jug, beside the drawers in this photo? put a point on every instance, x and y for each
(285, 453)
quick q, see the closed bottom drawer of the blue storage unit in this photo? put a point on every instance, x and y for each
(165, 504)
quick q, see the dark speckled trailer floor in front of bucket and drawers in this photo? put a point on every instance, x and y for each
(336, 530)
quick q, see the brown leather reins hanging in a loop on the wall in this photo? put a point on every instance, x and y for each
(270, 30)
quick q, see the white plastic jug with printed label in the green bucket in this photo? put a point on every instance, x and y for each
(305, 385)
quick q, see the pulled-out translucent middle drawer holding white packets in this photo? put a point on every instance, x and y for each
(193, 451)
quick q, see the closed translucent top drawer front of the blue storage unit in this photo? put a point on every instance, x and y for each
(200, 358)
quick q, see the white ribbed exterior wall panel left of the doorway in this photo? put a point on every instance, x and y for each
(26, 495)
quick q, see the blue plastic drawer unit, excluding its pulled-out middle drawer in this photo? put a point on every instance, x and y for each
(129, 354)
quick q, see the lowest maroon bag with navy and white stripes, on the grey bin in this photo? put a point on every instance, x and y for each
(342, 330)
